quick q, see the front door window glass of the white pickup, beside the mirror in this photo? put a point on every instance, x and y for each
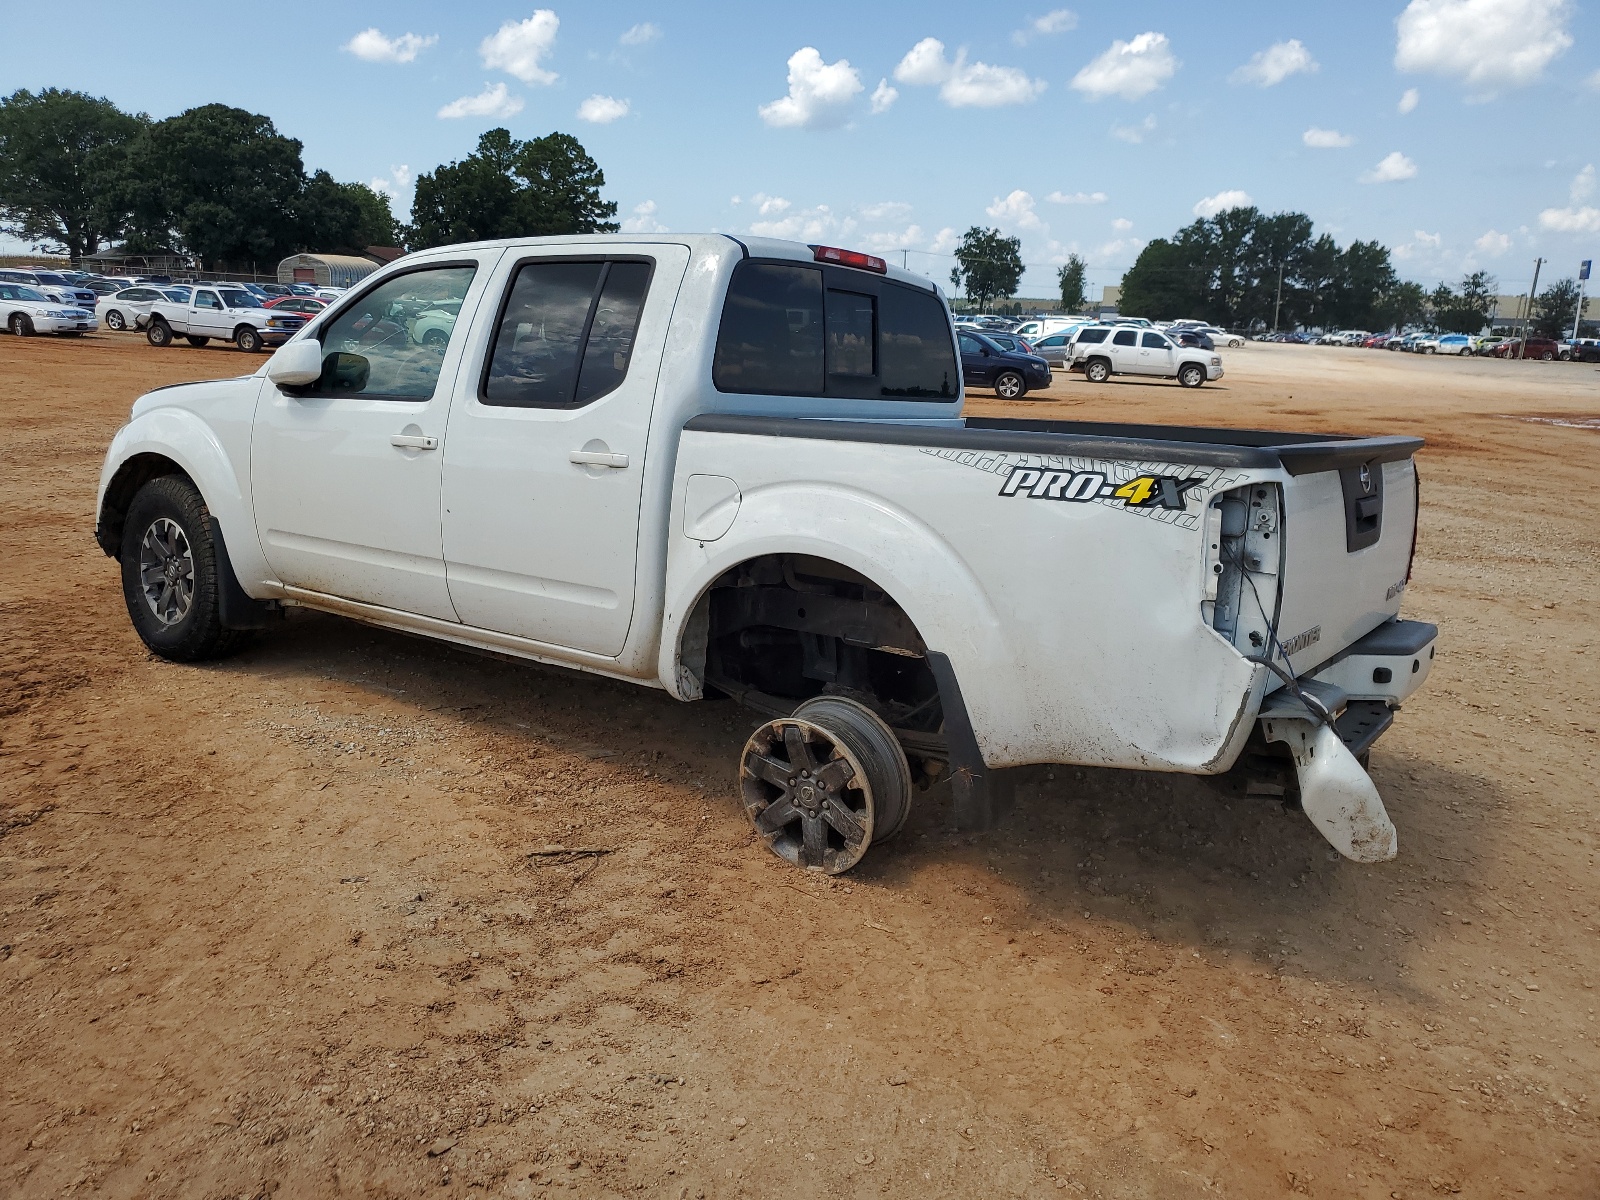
(391, 343)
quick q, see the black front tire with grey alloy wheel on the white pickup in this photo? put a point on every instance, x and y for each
(170, 574)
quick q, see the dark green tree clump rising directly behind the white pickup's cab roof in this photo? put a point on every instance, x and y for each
(508, 188)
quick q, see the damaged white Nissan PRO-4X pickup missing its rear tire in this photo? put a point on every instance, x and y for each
(740, 470)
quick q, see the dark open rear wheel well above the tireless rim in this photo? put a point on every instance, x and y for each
(785, 628)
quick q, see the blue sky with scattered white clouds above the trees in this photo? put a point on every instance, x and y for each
(1462, 134)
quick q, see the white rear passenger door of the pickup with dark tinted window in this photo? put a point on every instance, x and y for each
(546, 457)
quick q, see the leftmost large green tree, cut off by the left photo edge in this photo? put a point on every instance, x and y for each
(62, 154)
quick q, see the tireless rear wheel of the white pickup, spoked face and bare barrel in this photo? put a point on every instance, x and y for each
(815, 786)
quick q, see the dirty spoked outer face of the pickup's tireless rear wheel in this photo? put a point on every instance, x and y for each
(807, 794)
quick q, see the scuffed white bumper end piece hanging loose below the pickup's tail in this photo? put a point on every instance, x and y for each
(1337, 794)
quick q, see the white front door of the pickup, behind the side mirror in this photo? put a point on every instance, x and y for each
(346, 473)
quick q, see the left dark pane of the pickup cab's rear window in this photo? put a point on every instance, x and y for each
(772, 332)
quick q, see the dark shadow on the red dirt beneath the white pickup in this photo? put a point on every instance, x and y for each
(1162, 857)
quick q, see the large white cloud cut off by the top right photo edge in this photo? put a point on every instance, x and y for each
(1487, 44)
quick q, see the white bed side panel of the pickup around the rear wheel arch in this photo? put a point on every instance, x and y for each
(1074, 628)
